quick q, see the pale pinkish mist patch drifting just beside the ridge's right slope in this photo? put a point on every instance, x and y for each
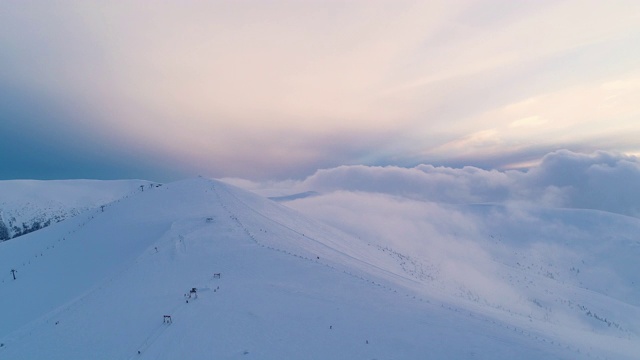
(440, 241)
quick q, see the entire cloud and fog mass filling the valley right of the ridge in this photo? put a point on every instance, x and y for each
(513, 240)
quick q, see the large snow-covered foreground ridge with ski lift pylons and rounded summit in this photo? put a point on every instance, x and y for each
(98, 286)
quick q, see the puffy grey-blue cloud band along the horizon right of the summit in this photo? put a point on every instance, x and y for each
(601, 180)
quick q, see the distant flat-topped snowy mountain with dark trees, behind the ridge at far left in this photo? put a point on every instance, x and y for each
(29, 205)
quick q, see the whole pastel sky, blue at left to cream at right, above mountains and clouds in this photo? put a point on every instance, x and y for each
(265, 90)
